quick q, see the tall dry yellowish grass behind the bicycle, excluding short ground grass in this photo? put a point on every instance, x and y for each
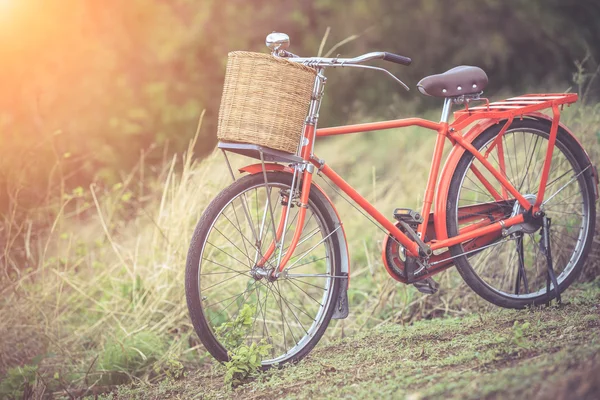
(109, 271)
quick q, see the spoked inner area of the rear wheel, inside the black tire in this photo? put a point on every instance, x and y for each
(521, 272)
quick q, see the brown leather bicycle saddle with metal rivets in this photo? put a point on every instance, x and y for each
(457, 81)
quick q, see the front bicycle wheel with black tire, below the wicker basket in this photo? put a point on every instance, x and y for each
(232, 302)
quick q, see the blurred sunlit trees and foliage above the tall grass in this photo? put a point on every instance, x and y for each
(91, 87)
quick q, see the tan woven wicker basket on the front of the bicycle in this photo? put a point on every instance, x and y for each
(265, 101)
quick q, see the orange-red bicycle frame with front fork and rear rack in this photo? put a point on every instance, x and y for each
(506, 110)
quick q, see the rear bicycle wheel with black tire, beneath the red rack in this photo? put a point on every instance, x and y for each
(571, 242)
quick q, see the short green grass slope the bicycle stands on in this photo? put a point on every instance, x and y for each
(541, 353)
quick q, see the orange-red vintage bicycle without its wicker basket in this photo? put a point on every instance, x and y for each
(513, 210)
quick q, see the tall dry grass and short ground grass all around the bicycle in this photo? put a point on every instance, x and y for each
(98, 298)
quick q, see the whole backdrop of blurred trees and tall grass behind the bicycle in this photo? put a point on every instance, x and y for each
(99, 191)
